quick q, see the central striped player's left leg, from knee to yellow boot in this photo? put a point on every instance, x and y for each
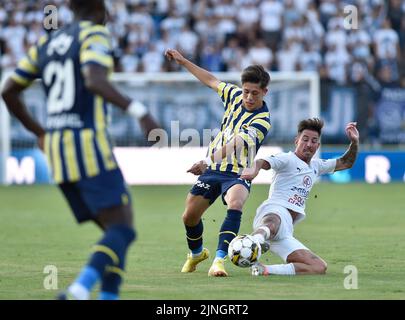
(195, 208)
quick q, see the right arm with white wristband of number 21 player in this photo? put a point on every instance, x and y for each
(97, 82)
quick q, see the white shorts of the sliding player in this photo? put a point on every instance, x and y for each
(284, 243)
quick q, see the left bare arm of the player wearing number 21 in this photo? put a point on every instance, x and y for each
(11, 94)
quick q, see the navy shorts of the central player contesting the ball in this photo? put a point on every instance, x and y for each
(212, 184)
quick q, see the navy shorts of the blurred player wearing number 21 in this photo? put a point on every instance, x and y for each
(90, 195)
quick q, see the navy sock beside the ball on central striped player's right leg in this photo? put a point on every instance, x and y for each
(229, 230)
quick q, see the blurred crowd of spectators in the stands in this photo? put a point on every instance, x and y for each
(228, 35)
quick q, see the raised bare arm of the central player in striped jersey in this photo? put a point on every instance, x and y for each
(201, 74)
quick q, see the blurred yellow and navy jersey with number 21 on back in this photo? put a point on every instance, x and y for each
(76, 143)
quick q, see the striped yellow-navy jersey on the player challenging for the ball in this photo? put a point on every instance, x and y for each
(252, 127)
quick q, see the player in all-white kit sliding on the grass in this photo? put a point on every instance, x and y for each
(295, 174)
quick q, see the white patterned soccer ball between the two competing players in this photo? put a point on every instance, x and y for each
(244, 251)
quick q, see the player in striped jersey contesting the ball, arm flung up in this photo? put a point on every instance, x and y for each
(245, 124)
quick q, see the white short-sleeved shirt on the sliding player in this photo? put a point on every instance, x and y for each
(293, 180)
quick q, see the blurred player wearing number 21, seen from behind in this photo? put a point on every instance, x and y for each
(74, 63)
